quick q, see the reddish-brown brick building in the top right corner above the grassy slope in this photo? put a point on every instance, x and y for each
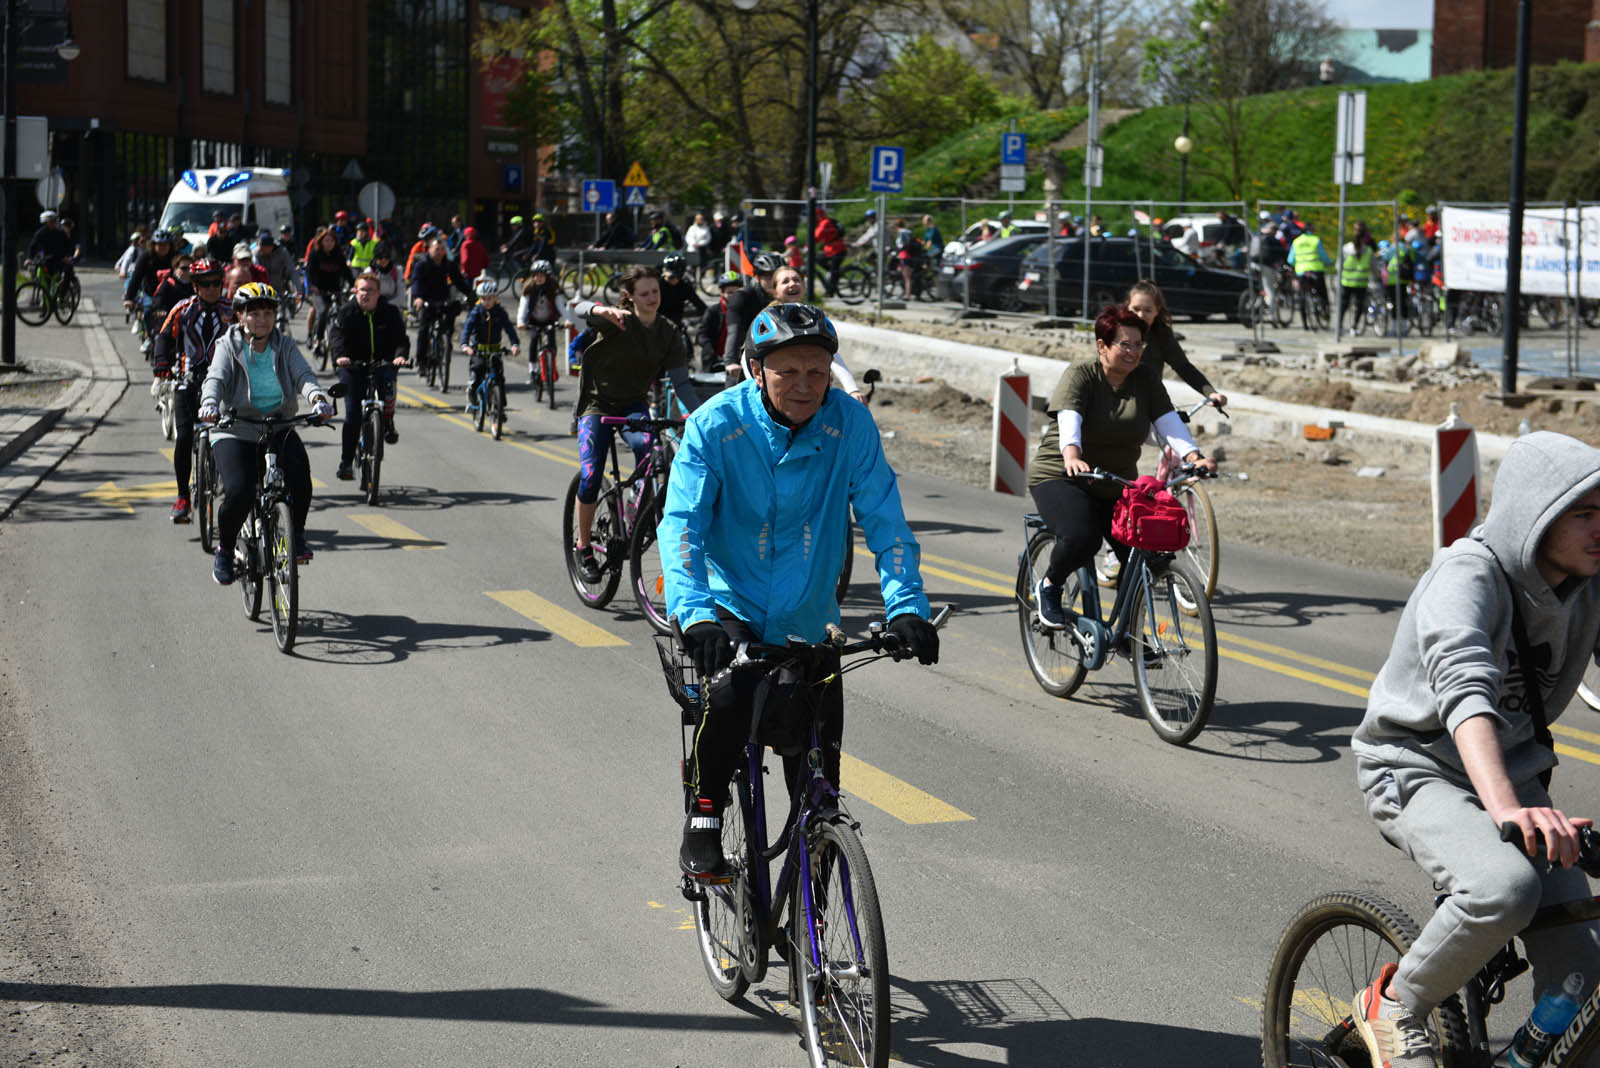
(1482, 34)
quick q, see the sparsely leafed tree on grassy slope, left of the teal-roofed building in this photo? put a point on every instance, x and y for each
(1220, 52)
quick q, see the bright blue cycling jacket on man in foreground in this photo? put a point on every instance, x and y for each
(756, 517)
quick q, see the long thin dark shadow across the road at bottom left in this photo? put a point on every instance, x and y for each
(510, 1005)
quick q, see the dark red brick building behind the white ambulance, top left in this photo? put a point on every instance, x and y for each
(311, 86)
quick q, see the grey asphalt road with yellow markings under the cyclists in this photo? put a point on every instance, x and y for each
(444, 832)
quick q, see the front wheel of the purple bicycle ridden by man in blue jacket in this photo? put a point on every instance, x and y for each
(846, 986)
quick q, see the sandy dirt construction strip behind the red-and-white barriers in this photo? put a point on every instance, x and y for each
(1290, 495)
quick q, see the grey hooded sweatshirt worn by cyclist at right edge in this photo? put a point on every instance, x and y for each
(1454, 655)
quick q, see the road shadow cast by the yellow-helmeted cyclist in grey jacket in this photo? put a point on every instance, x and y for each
(362, 640)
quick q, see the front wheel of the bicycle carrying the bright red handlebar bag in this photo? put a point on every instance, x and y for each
(1174, 656)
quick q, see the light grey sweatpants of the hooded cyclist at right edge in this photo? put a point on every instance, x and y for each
(1494, 890)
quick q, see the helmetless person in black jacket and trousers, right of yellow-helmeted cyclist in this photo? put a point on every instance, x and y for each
(367, 337)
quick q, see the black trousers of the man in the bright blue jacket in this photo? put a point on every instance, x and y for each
(719, 744)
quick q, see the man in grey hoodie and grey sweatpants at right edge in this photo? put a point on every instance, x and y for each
(1490, 648)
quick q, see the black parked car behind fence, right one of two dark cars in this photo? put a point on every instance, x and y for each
(1116, 263)
